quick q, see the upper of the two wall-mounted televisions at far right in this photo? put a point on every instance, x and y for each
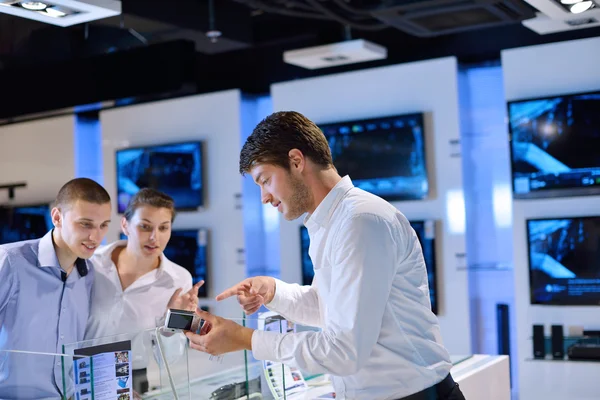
(555, 146)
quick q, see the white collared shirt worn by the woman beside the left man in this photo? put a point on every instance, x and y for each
(137, 308)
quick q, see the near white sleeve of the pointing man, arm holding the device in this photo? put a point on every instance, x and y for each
(363, 267)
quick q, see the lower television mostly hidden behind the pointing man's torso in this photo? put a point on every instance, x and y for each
(425, 230)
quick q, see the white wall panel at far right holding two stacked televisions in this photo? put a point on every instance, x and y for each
(537, 71)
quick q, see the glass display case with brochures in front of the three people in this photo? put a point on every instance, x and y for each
(159, 364)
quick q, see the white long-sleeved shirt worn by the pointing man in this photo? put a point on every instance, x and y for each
(370, 296)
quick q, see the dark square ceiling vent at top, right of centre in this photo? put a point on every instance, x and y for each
(438, 17)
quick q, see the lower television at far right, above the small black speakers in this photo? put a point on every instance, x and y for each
(564, 261)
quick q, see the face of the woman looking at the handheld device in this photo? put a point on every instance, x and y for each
(149, 230)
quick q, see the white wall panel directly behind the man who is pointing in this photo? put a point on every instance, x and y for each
(430, 87)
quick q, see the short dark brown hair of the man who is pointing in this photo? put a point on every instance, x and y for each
(274, 137)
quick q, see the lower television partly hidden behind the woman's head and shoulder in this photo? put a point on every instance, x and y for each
(189, 248)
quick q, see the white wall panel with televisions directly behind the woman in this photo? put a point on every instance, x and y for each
(215, 119)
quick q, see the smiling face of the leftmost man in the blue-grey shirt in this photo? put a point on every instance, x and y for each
(82, 226)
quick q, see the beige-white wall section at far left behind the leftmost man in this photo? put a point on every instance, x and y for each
(40, 153)
